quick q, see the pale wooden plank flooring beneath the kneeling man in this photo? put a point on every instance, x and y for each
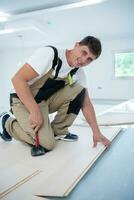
(61, 168)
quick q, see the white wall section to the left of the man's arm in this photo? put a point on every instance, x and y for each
(10, 60)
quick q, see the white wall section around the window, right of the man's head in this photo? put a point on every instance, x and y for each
(101, 79)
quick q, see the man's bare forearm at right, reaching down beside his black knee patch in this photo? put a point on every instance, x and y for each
(89, 114)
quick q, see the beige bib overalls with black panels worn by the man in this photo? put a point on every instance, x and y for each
(66, 100)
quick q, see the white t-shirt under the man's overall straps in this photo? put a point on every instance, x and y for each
(41, 61)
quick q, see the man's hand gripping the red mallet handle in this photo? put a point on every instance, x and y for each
(36, 120)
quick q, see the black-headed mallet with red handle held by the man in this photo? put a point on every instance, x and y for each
(37, 150)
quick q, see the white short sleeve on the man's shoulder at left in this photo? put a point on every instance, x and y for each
(41, 60)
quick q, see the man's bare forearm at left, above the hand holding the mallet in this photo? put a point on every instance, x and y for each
(23, 91)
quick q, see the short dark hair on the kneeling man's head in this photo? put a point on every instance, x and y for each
(93, 44)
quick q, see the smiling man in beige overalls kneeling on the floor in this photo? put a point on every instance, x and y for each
(51, 81)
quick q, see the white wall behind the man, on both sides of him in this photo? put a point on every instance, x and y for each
(101, 82)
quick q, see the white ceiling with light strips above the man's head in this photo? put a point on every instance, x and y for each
(65, 21)
